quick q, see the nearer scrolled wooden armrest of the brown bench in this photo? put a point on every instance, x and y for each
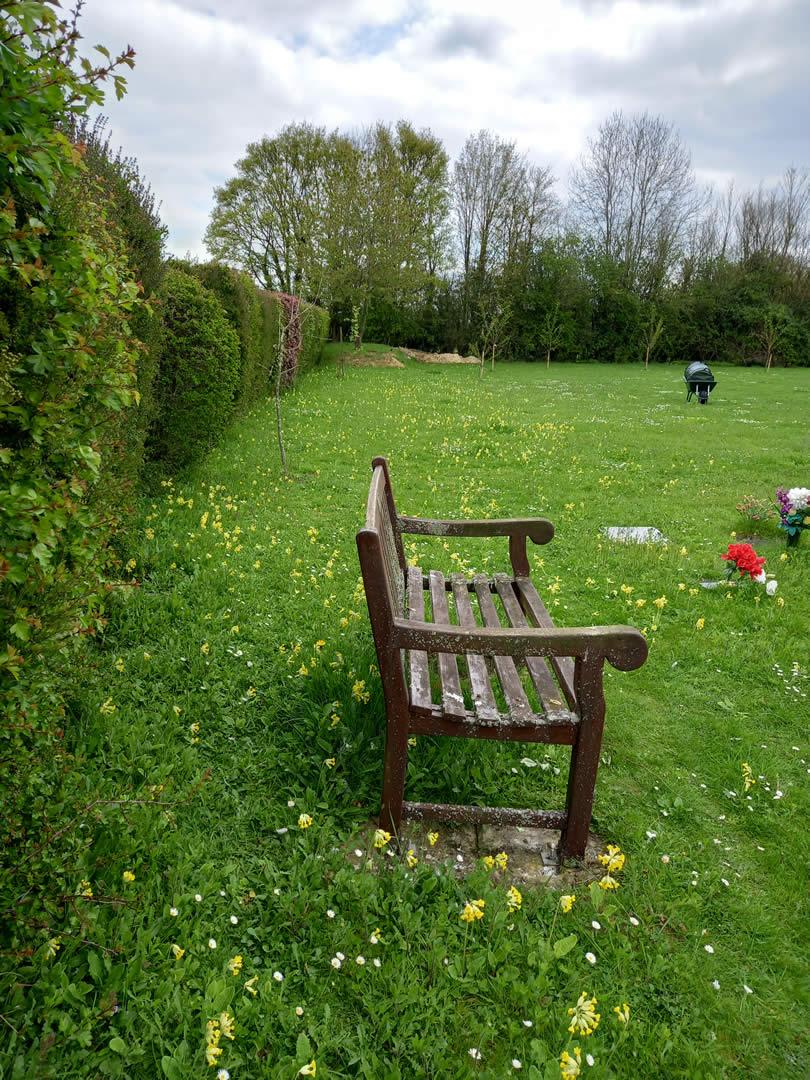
(625, 647)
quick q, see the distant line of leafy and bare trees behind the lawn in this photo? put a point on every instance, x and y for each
(641, 264)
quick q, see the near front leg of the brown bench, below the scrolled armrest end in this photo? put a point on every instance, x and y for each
(585, 760)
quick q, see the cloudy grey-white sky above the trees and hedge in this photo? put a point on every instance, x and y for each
(212, 76)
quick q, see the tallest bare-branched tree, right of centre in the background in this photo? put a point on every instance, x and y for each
(634, 194)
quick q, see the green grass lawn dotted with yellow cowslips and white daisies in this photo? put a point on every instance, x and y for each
(236, 691)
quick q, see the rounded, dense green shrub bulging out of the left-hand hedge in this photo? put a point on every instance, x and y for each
(199, 371)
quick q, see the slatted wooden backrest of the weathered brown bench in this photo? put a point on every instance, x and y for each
(390, 557)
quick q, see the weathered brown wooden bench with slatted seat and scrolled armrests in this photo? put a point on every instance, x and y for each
(562, 668)
